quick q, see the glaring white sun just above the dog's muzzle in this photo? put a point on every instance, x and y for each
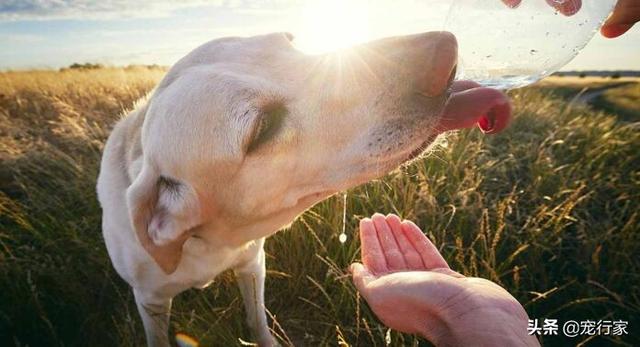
(329, 25)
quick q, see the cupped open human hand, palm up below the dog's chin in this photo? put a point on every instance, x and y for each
(411, 288)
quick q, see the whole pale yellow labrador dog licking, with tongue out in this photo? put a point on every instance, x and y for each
(244, 134)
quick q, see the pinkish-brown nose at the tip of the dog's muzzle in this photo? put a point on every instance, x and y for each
(439, 66)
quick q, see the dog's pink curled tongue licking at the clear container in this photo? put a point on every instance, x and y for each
(470, 104)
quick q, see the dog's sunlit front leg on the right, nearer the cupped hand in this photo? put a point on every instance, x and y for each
(250, 276)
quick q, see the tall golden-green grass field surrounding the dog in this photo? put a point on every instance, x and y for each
(549, 209)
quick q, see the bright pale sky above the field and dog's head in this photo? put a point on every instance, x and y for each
(57, 33)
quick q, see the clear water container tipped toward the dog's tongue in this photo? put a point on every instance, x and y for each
(513, 46)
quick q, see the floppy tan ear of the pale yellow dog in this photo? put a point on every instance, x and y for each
(163, 212)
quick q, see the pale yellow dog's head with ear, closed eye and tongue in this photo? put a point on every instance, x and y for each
(243, 134)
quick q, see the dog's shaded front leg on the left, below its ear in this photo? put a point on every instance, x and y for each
(155, 312)
